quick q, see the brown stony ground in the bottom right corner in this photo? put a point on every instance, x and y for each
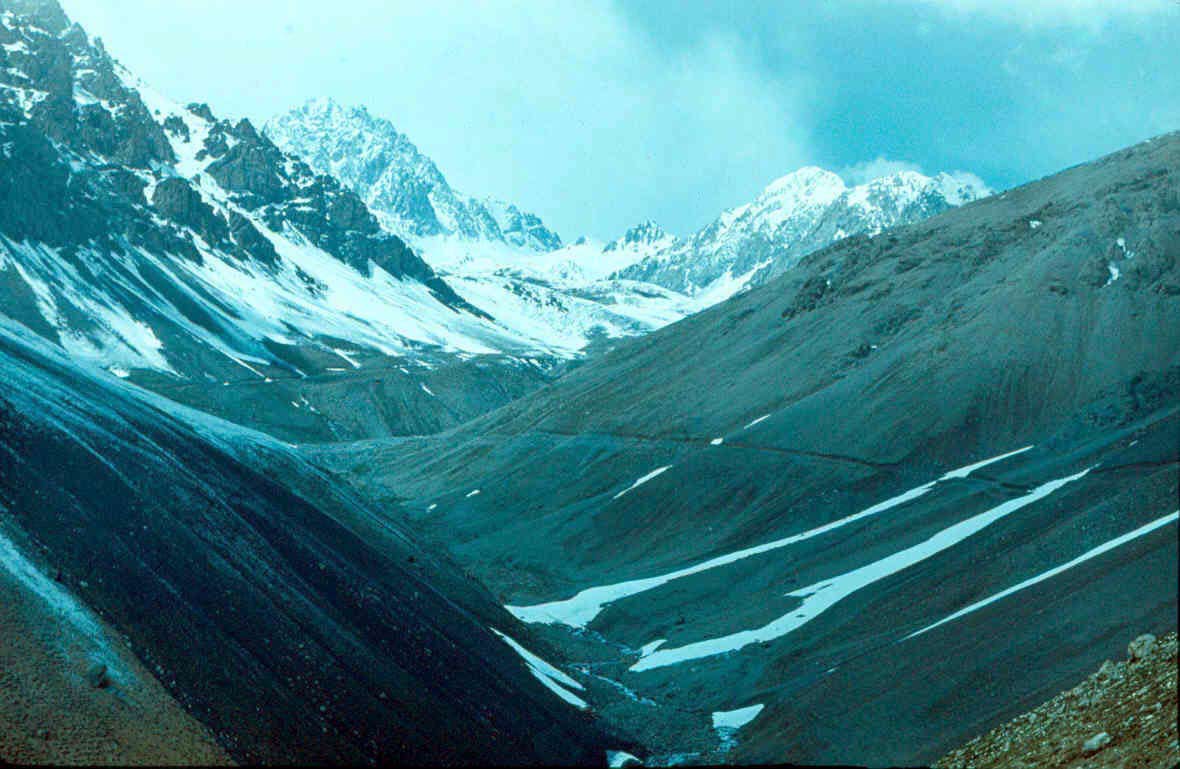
(1123, 717)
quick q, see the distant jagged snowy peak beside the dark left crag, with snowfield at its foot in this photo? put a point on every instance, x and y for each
(493, 254)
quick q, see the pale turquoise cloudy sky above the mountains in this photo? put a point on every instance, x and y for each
(600, 115)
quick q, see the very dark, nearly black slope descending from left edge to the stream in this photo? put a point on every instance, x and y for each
(281, 613)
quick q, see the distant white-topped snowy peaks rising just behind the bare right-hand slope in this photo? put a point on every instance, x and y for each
(794, 216)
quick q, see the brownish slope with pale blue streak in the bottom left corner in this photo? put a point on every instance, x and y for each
(61, 704)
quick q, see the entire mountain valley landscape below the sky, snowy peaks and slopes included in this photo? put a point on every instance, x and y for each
(307, 458)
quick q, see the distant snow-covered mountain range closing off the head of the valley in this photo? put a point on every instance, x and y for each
(572, 297)
